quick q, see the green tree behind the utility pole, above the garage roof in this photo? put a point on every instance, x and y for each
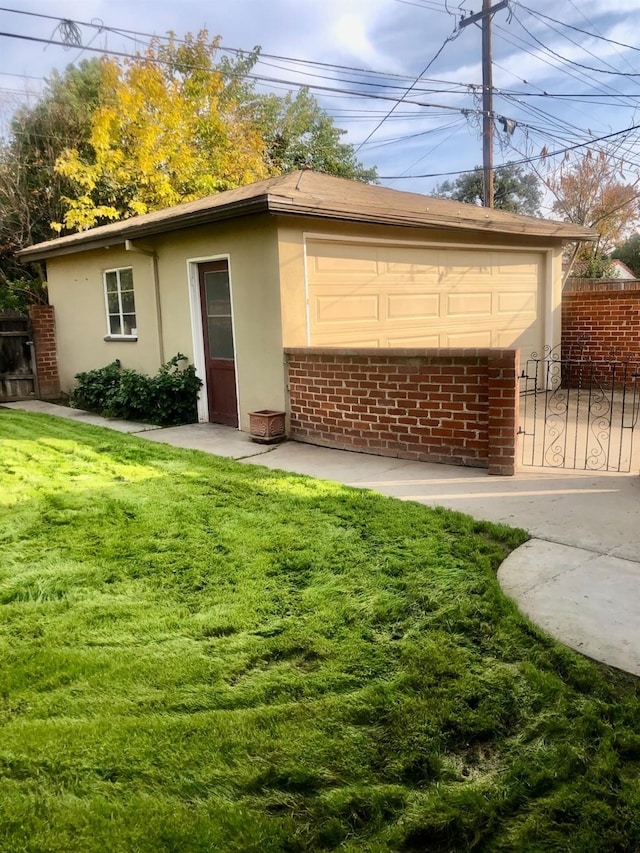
(514, 189)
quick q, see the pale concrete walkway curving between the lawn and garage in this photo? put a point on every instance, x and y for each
(578, 577)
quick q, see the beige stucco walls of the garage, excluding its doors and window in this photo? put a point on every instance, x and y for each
(269, 297)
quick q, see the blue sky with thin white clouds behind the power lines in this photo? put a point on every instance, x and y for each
(566, 72)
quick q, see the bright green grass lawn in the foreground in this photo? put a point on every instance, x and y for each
(199, 655)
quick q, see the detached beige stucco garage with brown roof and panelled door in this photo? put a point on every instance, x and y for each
(300, 260)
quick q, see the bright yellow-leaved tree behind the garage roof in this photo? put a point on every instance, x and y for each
(168, 129)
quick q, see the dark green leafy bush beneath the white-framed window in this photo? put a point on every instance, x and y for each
(167, 399)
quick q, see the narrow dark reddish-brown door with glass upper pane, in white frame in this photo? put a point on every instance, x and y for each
(215, 301)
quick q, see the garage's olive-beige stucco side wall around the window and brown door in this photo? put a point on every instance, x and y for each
(76, 291)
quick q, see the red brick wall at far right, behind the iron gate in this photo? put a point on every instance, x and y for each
(601, 324)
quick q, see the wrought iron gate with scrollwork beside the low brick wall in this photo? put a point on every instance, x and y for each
(579, 413)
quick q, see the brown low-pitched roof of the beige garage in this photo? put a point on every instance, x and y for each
(307, 193)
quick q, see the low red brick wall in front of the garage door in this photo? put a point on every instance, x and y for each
(457, 406)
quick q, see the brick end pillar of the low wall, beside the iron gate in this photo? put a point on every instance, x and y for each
(503, 369)
